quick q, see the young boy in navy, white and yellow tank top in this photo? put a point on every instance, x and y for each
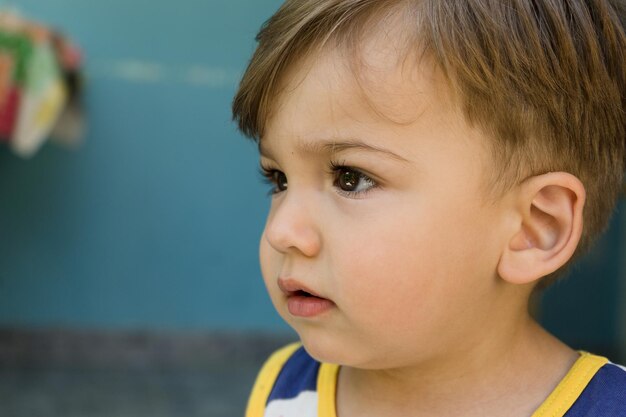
(432, 163)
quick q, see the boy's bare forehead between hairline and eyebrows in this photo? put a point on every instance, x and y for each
(375, 85)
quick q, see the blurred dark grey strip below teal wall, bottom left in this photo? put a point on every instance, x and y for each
(91, 374)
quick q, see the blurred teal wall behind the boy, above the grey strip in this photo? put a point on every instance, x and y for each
(154, 221)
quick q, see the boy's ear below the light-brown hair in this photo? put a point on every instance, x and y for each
(551, 211)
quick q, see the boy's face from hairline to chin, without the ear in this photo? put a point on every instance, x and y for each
(387, 221)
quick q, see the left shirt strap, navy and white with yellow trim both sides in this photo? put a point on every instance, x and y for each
(293, 383)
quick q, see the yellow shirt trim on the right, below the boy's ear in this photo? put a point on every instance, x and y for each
(571, 387)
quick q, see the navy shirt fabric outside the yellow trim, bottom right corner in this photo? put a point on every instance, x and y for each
(604, 395)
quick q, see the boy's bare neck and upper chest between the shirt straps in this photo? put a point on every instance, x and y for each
(513, 378)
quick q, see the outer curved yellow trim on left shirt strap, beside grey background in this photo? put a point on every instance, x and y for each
(266, 379)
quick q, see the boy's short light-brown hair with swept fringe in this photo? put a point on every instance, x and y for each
(546, 79)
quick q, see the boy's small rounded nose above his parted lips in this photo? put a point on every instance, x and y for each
(291, 226)
